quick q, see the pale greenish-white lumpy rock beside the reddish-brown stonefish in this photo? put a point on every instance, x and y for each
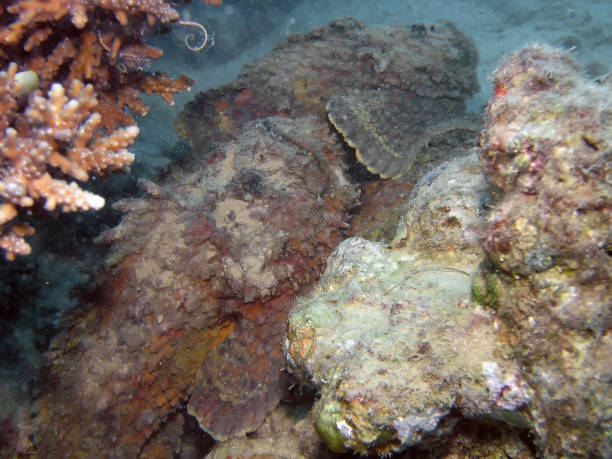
(390, 337)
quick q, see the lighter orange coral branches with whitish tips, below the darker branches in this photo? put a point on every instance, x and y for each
(59, 132)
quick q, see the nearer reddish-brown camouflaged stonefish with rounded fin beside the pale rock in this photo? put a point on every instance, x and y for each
(199, 280)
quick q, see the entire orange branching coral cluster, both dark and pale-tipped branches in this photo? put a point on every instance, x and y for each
(87, 61)
